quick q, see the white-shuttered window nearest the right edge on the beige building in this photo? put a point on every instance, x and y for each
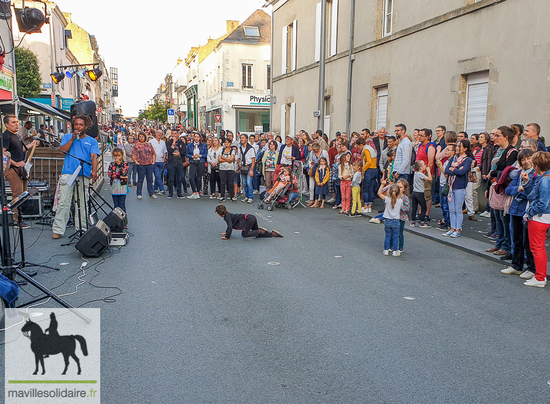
(477, 95)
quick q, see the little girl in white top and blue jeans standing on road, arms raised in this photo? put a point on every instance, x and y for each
(393, 202)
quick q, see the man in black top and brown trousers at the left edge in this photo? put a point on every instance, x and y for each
(17, 149)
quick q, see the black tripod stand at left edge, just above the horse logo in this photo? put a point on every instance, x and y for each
(8, 268)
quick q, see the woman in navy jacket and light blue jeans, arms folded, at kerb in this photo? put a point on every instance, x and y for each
(457, 172)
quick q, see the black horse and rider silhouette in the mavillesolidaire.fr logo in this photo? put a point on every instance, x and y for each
(44, 345)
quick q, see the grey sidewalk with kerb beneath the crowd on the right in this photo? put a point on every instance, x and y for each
(472, 240)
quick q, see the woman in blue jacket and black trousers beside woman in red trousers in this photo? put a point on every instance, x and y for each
(517, 193)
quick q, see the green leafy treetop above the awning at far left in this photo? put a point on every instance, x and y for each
(27, 73)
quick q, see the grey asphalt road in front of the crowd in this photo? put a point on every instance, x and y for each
(202, 320)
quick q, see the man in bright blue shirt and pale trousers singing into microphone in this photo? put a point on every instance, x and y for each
(80, 145)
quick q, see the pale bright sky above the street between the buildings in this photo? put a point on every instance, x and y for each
(144, 39)
